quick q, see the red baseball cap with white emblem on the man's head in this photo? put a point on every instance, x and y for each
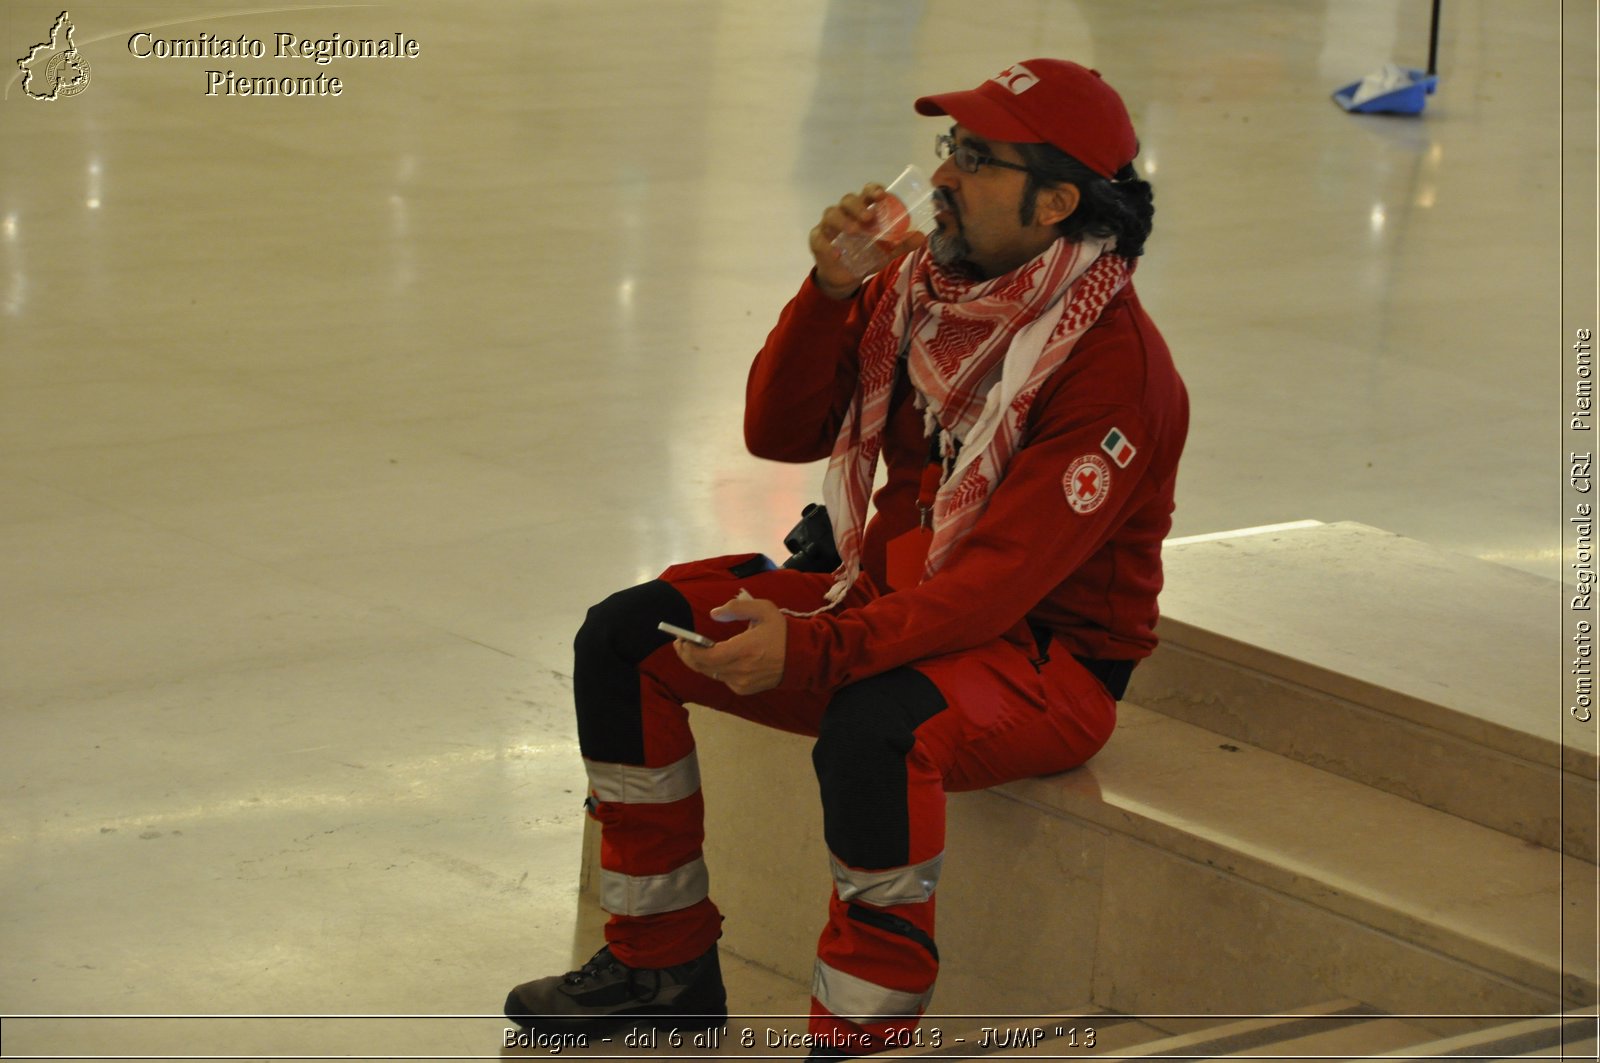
(1047, 102)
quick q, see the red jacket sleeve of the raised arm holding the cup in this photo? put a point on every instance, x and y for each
(804, 377)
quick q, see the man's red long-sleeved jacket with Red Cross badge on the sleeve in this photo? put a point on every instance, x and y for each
(1090, 572)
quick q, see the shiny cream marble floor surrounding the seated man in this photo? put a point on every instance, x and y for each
(324, 419)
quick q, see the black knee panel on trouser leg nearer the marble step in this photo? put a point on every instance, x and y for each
(860, 760)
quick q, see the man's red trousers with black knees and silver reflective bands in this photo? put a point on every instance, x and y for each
(889, 750)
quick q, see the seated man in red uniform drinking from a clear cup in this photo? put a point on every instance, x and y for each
(980, 625)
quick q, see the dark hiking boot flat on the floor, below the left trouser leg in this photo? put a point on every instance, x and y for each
(606, 993)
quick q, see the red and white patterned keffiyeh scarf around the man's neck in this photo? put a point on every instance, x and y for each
(978, 355)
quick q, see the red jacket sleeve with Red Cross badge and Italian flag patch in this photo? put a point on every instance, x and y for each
(1028, 542)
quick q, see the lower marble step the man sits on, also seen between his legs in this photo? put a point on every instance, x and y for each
(1182, 872)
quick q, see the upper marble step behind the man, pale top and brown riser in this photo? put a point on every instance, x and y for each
(1434, 676)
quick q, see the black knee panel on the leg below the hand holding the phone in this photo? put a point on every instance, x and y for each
(617, 636)
